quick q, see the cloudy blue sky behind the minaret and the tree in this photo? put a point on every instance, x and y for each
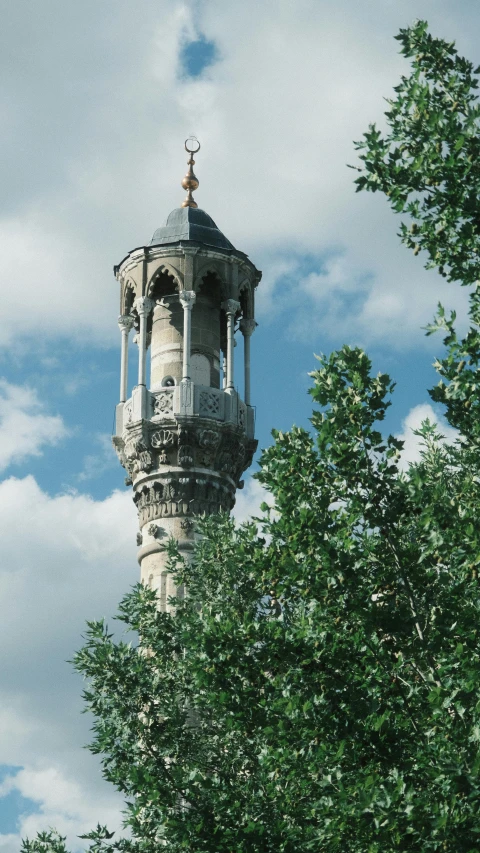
(96, 101)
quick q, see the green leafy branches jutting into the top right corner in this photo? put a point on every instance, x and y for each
(428, 162)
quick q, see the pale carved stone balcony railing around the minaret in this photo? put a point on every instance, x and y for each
(185, 400)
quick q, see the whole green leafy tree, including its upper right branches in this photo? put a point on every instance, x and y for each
(318, 688)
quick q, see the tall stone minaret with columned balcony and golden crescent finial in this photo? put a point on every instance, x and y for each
(186, 437)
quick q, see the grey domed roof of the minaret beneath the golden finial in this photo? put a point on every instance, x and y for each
(190, 223)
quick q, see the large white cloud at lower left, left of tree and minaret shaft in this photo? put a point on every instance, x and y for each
(65, 559)
